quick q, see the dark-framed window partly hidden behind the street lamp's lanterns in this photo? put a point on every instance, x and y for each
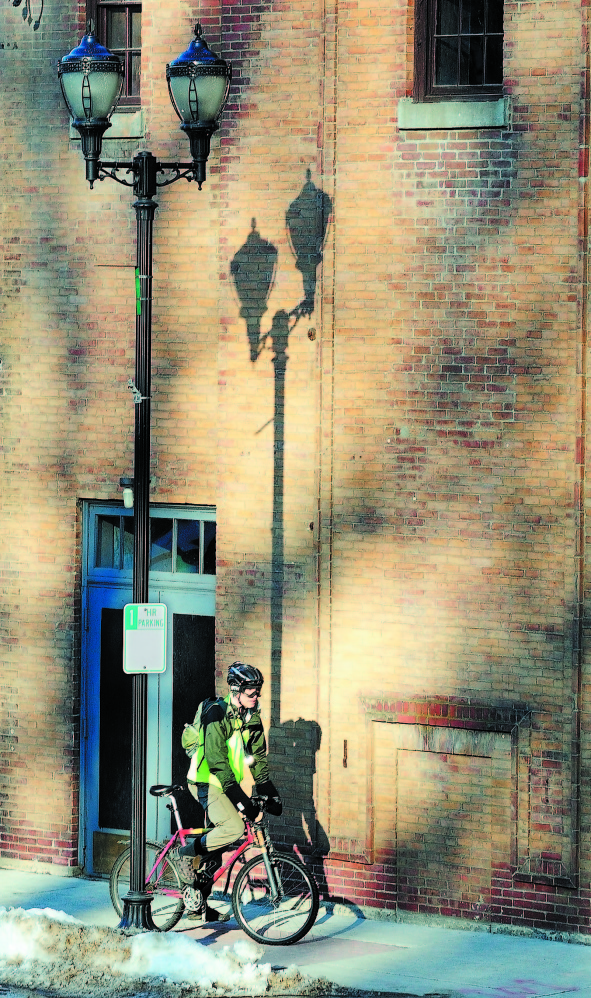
(118, 25)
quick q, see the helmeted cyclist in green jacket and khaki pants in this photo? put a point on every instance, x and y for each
(231, 737)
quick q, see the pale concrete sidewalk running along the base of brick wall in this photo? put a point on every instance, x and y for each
(357, 952)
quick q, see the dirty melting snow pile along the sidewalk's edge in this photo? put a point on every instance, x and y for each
(49, 948)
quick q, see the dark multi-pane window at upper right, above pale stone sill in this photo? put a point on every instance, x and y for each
(458, 49)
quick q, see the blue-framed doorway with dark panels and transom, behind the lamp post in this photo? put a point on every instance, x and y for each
(182, 576)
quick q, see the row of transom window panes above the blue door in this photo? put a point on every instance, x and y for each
(177, 545)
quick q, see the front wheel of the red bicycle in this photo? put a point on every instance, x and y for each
(275, 917)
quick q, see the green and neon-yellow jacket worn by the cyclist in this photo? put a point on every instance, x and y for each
(225, 738)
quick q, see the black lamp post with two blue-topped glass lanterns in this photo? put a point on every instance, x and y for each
(91, 78)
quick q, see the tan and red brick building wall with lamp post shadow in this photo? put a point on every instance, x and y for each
(392, 428)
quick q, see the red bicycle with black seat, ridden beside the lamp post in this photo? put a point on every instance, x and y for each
(274, 897)
